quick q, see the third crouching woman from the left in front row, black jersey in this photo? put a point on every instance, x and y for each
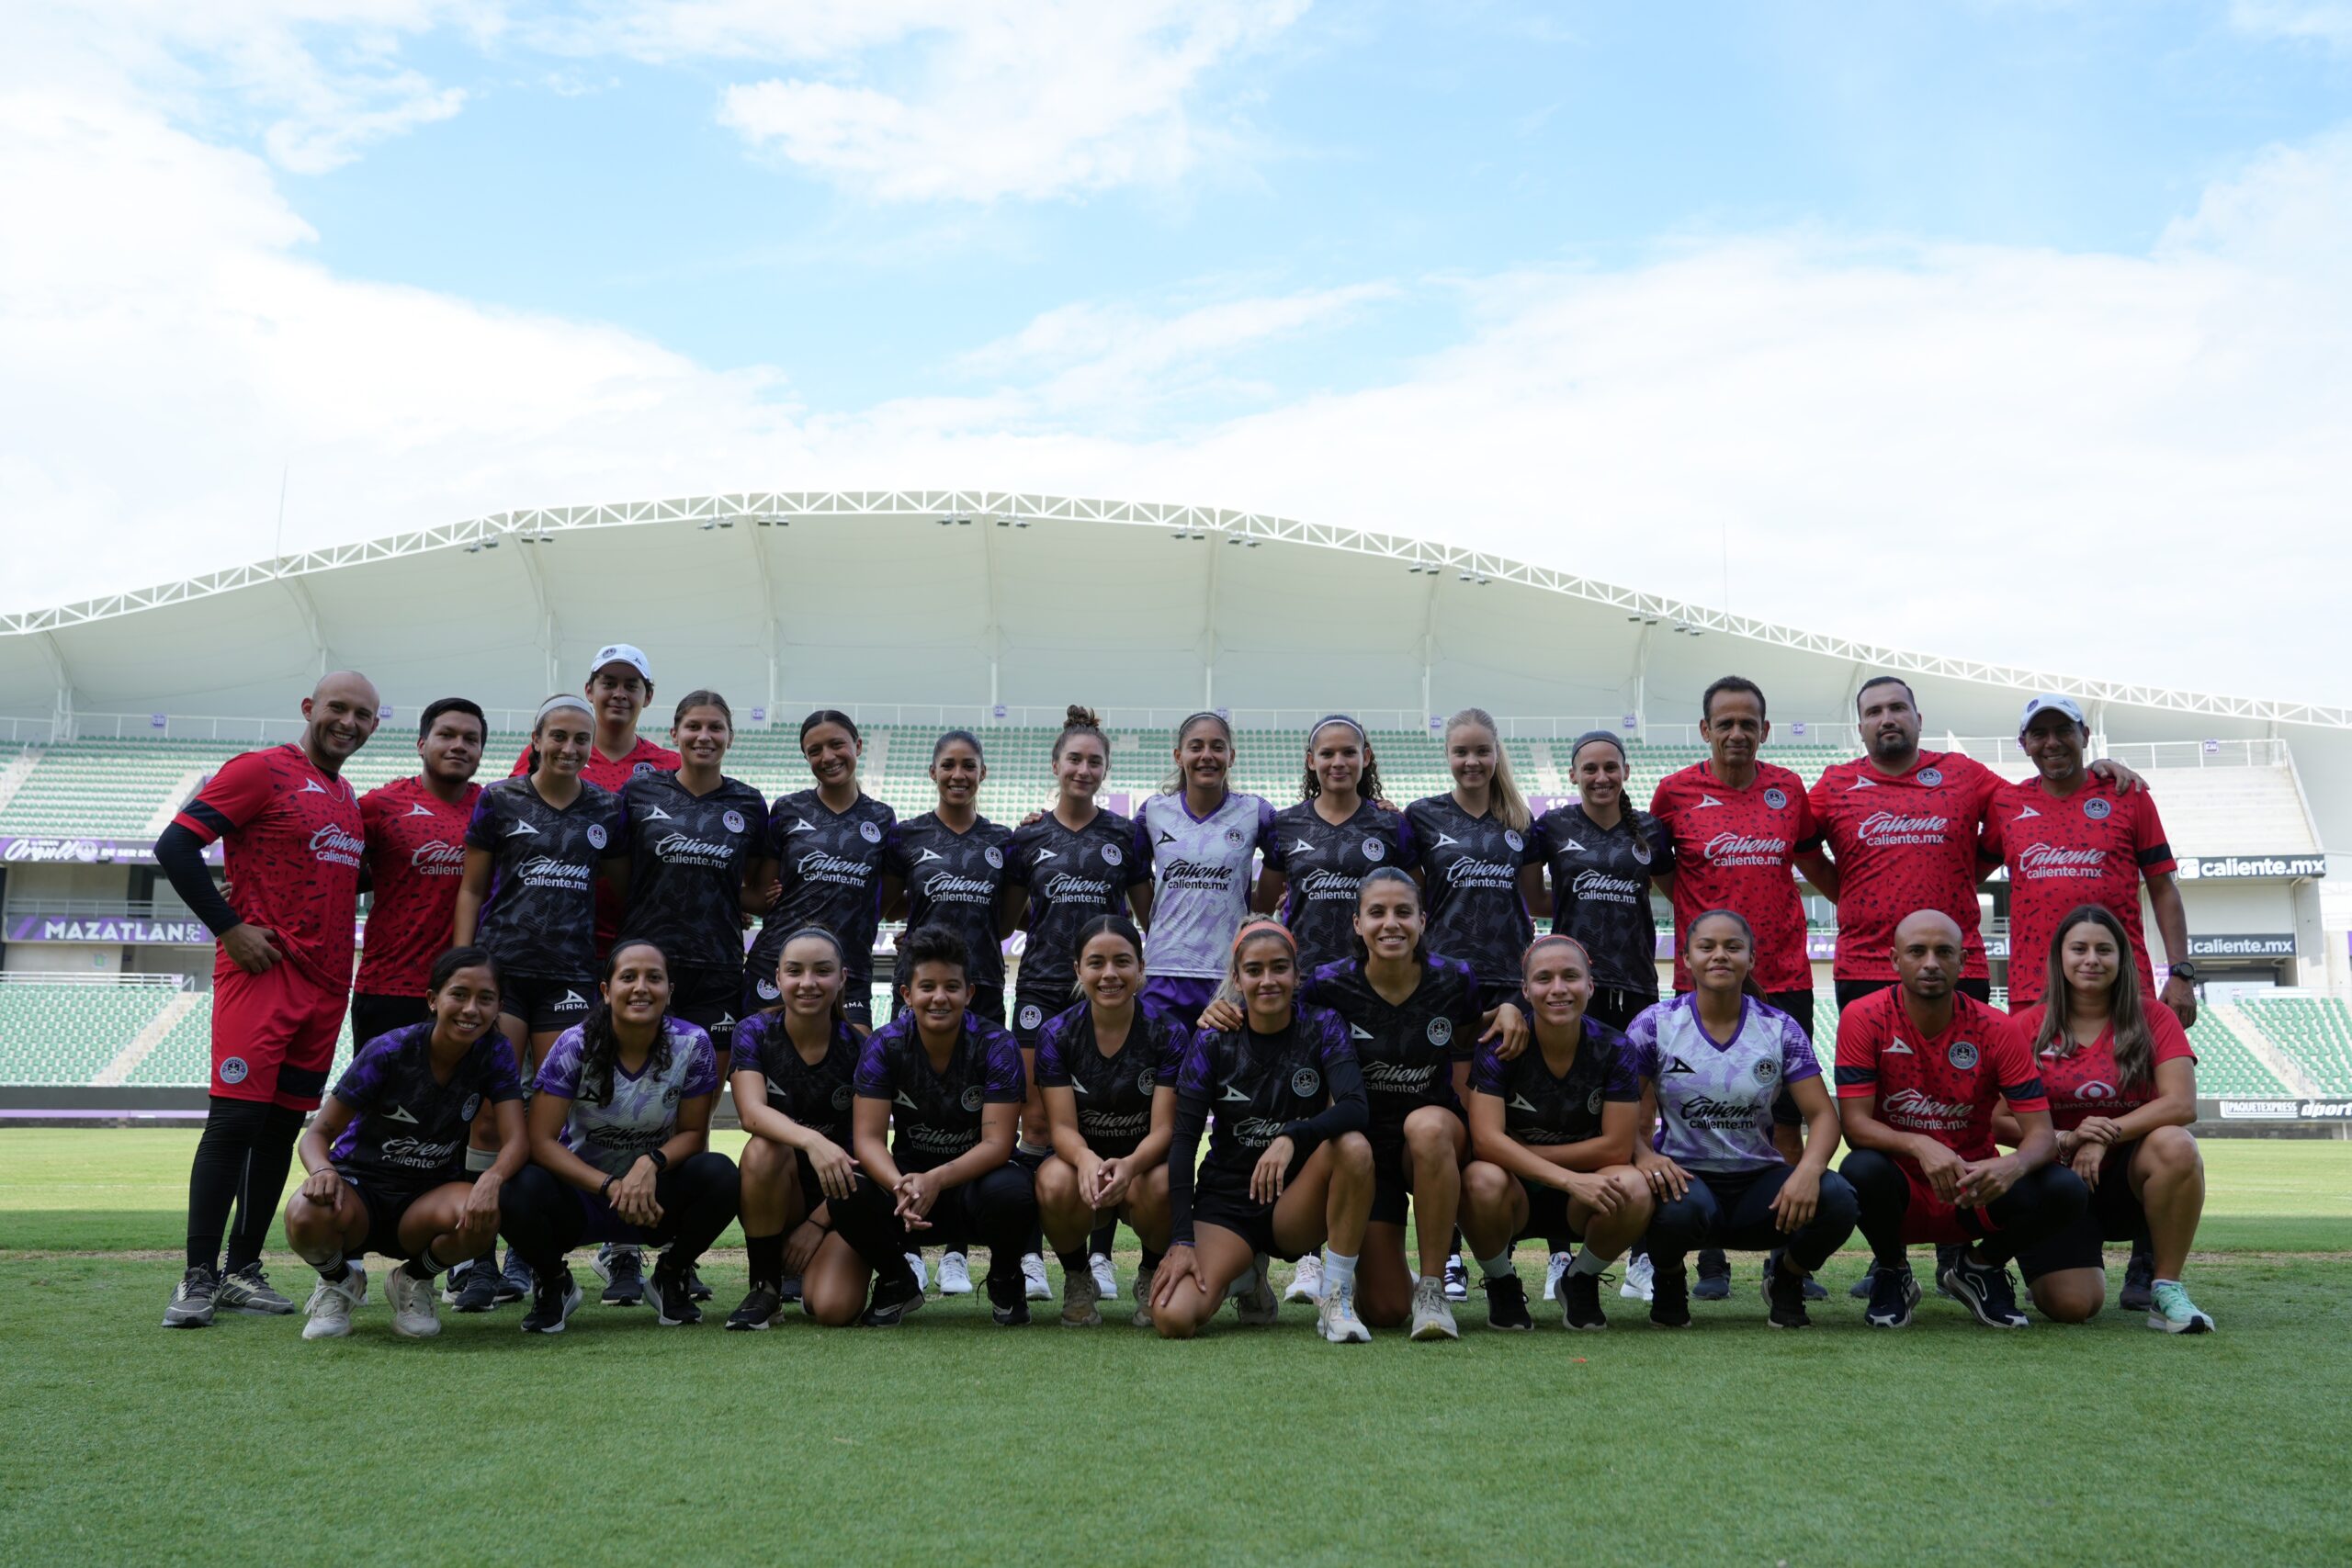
(794, 1085)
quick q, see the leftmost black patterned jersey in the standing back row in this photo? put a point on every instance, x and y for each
(540, 918)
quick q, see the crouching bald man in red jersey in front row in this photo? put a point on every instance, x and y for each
(1920, 1071)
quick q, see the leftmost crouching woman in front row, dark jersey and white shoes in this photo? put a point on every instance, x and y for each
(387, 1153)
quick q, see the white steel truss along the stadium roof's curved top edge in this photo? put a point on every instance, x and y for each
(1015, 509)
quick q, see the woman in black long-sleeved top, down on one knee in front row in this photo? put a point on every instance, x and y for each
(1288, 1162)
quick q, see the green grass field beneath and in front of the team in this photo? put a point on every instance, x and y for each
(965, 1442)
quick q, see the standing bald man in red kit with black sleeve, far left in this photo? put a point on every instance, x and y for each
(279, 984)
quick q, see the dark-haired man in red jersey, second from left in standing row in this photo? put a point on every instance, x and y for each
(415, 852)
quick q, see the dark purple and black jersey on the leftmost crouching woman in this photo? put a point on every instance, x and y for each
(410, 1127)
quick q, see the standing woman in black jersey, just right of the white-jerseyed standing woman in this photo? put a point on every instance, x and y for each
(1321, 850)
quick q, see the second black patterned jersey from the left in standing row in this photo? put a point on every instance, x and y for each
(686, 866)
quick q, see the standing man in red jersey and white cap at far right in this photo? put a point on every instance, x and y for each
(2069, 838)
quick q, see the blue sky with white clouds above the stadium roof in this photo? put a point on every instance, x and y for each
(1847, 281)
